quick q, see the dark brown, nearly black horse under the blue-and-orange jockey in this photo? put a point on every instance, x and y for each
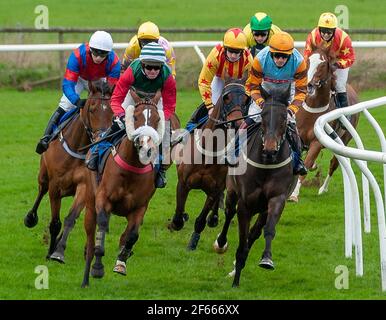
(266, 184)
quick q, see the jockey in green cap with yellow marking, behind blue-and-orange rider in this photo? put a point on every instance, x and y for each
(259, 31)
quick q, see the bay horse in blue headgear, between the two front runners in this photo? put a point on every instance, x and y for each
(207, 170)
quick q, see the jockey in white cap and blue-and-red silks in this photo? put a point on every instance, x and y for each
(89, 62)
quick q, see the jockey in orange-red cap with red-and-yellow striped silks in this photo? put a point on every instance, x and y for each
(232, 57)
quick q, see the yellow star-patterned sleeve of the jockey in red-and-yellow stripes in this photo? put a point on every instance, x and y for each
(207, 74)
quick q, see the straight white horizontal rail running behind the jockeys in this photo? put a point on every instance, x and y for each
(176, 44)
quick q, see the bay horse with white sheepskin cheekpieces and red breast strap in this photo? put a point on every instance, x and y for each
(126, 185)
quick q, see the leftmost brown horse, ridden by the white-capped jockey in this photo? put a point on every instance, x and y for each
(62, 170)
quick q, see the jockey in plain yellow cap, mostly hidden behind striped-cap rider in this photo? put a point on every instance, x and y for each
(148, 32)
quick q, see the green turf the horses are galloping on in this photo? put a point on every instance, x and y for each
(309, 243)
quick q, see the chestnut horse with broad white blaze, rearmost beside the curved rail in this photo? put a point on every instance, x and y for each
(319, 100)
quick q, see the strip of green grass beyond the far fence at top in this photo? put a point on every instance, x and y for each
(181, 14)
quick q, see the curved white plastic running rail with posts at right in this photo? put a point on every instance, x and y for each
(353, 229)
